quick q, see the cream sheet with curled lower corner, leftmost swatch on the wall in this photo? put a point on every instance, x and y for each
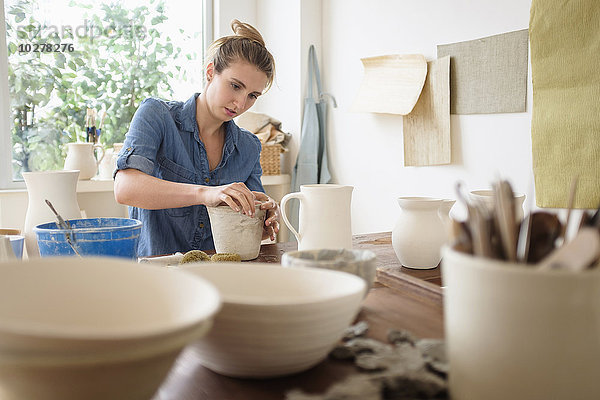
(391, 84)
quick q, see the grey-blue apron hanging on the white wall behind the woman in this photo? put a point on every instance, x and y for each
(311, 164)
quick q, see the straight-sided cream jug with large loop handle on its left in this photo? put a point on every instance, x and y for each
(324, 216)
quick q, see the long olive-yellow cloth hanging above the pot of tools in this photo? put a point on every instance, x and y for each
(565, 124)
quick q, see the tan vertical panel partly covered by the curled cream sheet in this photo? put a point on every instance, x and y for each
(427, 127)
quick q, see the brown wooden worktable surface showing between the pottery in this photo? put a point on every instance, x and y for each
(400, 299)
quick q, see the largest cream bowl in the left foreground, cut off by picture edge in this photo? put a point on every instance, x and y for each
(99, 328)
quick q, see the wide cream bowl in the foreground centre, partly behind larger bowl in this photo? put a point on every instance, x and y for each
(275, 321)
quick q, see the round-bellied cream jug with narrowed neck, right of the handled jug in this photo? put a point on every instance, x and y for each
(420, 231)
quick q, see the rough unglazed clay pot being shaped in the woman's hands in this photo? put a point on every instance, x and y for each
(234, 232)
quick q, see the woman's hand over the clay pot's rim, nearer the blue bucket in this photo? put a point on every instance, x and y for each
(235, 195)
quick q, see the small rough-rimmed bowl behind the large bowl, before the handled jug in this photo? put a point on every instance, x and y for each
(361, 263)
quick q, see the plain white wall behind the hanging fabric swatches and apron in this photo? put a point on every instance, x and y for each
(366, 150)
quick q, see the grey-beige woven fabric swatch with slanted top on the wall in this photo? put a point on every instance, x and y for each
(488, 75)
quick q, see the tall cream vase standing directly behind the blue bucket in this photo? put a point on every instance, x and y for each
(58, 187)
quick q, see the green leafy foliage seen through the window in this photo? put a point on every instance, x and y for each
(119, 59)
